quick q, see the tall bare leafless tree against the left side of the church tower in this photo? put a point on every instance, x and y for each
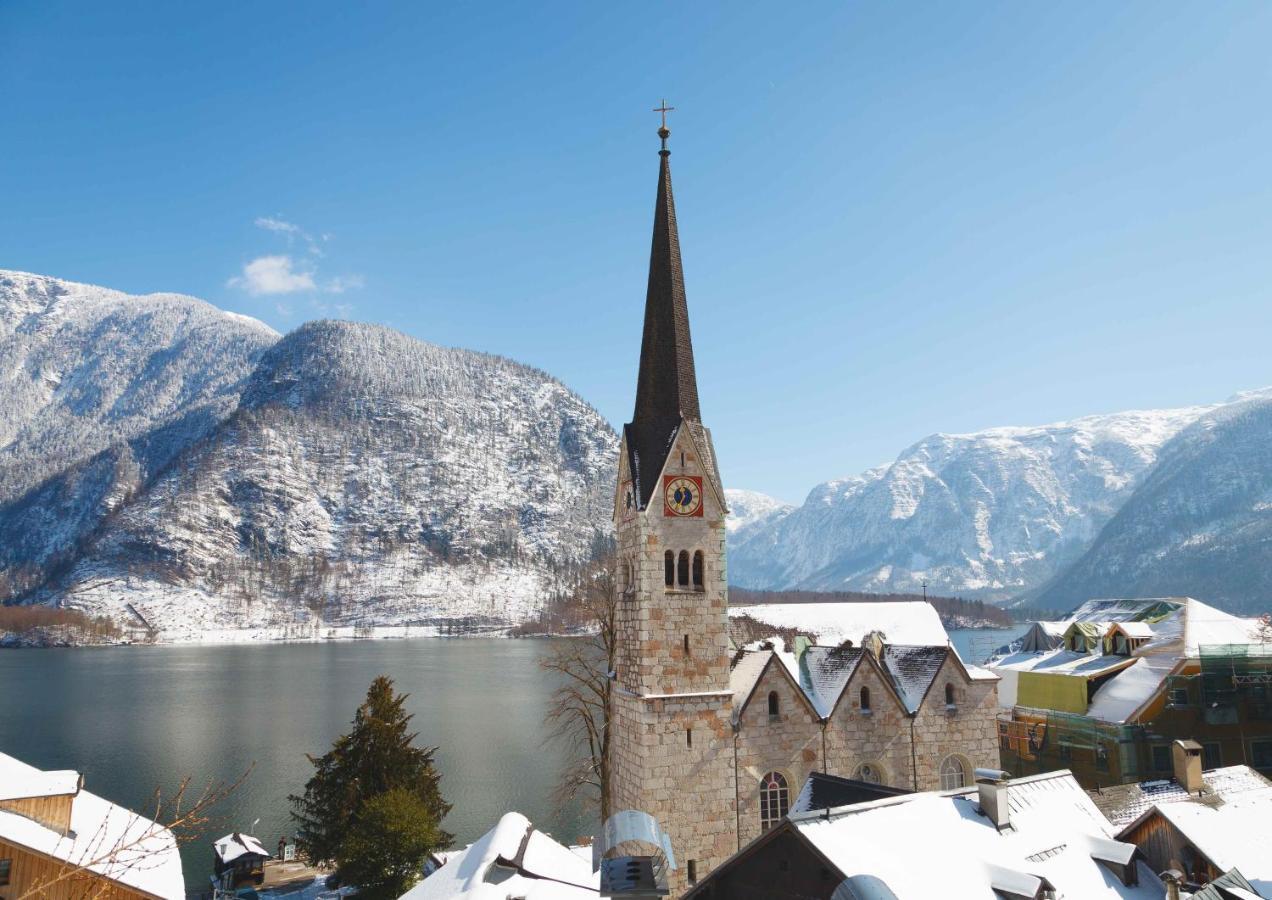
(579, 712)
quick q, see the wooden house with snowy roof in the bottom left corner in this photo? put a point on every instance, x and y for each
(60, 842)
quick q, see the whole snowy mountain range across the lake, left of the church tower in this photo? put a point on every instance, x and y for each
(344, 474)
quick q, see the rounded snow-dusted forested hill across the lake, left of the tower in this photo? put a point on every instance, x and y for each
(367, 479)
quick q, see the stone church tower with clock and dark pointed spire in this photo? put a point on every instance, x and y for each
(672, 737)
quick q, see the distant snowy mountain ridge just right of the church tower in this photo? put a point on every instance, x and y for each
(985, 515)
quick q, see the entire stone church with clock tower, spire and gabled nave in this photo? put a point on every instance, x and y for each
(715, 742)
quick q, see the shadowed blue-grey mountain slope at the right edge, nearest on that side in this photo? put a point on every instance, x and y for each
(1200, 524)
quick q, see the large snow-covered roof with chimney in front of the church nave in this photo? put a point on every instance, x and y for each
(1056, 836)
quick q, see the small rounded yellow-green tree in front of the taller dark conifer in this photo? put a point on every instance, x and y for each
(389, 845)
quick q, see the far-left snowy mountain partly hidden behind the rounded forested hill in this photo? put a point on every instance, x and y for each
(100, 392)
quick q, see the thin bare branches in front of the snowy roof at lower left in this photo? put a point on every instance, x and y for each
(114, 851)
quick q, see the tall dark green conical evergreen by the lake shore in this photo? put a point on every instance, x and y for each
(377, 757)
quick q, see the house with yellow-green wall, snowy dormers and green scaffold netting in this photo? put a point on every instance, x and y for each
(1128, 678)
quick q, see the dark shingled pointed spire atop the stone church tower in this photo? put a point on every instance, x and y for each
(667, 390)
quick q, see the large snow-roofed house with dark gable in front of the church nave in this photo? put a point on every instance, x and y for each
(1021, 840)
